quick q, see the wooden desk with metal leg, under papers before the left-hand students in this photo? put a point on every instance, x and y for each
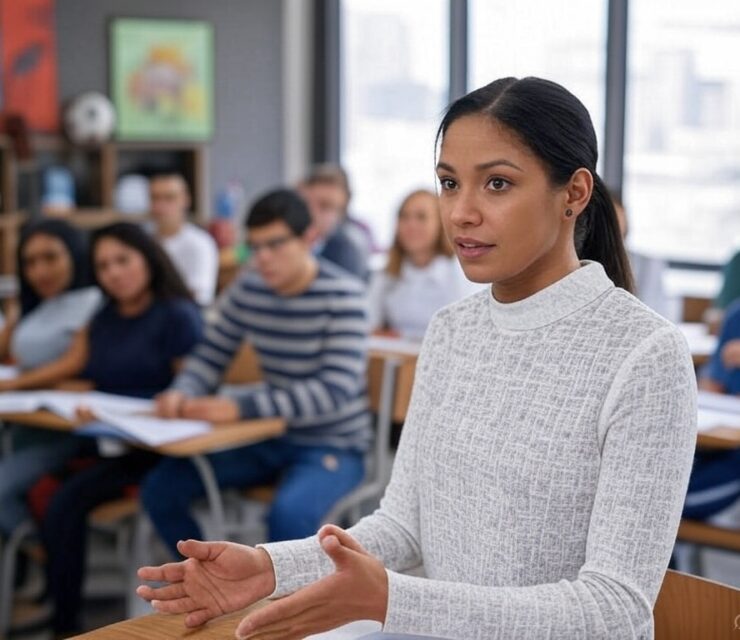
(225, 436)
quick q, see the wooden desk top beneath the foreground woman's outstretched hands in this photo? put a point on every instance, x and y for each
(159, 626)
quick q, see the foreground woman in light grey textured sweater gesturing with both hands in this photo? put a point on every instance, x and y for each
(545, 458)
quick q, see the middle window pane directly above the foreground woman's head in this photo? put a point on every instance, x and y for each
(560, 40)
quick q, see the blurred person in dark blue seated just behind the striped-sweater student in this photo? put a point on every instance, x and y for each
(338, 238)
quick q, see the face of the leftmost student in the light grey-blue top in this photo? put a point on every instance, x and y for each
(47, 265)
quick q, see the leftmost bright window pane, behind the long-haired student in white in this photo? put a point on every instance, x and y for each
(394, 90)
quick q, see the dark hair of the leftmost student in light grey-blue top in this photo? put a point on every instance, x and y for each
(75, 244)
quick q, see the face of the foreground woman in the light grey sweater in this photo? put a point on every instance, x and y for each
(498, 208)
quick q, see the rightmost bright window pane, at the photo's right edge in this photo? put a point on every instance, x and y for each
(682, 148)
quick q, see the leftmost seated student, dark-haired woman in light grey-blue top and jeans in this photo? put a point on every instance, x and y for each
(57, 300)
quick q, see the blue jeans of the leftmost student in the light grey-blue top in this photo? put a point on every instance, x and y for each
(21, 469)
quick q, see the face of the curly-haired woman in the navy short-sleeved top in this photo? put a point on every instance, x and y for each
(120, 269)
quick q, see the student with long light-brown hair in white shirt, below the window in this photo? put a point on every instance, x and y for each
(422, 274)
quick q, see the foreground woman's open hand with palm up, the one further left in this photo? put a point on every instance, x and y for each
(215, 579)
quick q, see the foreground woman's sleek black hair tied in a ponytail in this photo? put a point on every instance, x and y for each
(556, 126)
